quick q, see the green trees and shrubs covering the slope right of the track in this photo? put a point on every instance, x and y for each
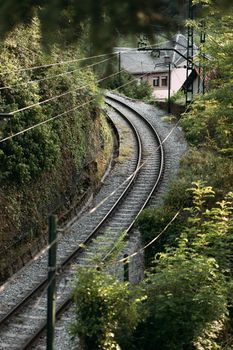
(185, 301)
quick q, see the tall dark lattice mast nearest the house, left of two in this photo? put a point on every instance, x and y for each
(189, 69)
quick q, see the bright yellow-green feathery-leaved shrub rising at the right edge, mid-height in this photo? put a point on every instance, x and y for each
(210, 229)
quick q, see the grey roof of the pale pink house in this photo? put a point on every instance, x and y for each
(141, 62)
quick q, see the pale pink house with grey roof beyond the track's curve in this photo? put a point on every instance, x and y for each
(155, 70)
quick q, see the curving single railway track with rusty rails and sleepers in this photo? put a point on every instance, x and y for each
(24, 321)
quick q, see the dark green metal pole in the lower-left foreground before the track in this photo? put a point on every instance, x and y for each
(51, 306)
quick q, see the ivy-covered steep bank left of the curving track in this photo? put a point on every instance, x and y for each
(48, 167)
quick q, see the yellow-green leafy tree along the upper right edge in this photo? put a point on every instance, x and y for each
(210, 120)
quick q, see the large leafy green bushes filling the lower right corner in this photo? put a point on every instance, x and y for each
(189, 289)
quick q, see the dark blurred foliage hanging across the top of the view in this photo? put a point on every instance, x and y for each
(68, 18)
